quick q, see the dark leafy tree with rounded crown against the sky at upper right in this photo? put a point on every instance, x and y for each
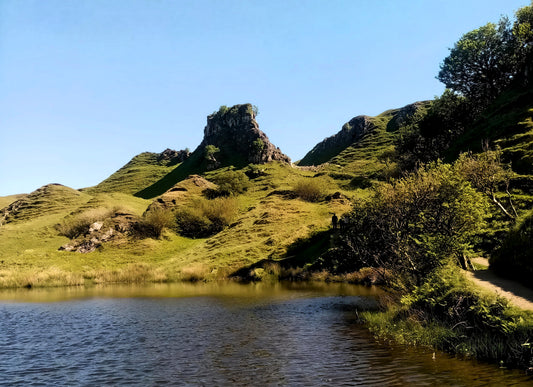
(482, 63)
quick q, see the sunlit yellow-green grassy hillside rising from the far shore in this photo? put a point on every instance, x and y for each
(267, 221)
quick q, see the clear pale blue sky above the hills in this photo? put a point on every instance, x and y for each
(85, 85)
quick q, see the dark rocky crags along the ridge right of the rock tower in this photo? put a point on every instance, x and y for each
(353, 131)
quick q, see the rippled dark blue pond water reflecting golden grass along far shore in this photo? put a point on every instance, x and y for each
(230, 334)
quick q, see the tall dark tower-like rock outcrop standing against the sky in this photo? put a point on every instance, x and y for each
(235, 138)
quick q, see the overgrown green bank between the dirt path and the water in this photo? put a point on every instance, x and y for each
(449, 313)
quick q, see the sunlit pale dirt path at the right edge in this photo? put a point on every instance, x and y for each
(517, 294)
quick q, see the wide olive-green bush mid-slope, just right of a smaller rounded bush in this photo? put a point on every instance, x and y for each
(206, 217)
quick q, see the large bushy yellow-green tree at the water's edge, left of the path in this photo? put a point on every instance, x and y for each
(414, 225)
